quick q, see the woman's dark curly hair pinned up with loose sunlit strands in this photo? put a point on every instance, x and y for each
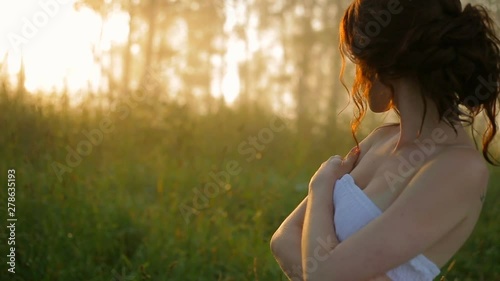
(452, 52)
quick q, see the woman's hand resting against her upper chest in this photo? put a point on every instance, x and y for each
(333, 169)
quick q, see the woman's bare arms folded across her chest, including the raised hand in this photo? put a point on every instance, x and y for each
(430, 206)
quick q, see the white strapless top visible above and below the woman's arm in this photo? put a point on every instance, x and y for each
(354, 210)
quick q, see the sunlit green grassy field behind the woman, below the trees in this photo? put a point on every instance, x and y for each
(162, 193)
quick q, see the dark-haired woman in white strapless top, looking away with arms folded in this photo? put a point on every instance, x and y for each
(407, 197)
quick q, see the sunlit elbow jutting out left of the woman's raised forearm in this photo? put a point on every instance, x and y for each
(286, 241)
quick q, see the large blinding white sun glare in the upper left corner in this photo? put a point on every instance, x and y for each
(55, 42)
